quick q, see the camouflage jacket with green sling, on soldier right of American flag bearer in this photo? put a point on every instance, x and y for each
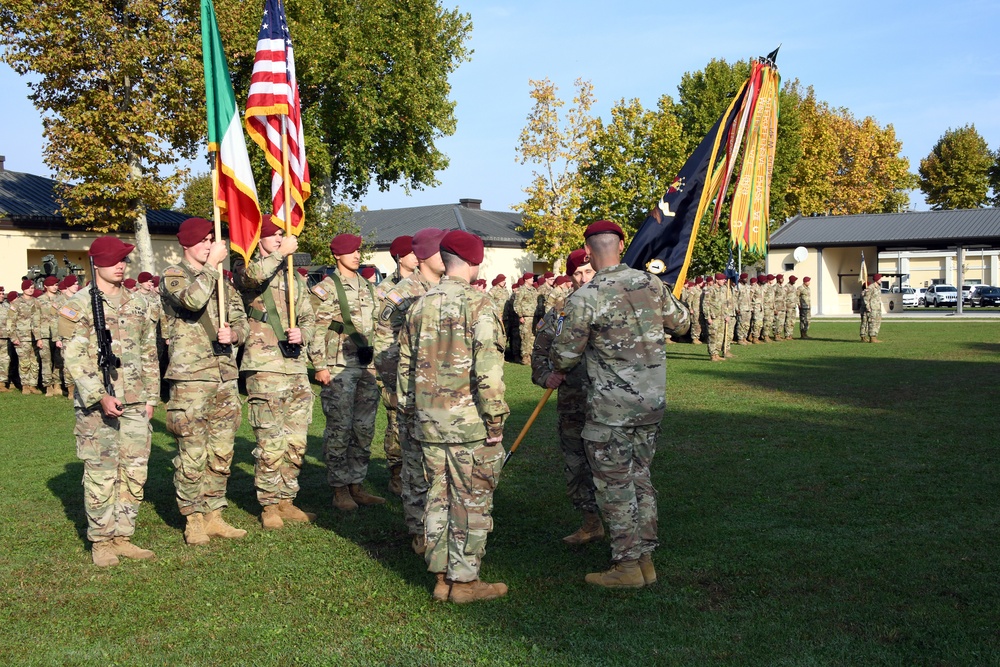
(329, 347)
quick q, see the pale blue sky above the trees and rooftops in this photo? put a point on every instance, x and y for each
(923, 67)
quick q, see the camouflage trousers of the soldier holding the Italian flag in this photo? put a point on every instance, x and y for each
(204, 417)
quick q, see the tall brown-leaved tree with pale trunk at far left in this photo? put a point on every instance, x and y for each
(116, 83)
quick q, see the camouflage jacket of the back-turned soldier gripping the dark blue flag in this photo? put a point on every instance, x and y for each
(608, 322)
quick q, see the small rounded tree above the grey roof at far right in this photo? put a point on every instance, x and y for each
(956, 173)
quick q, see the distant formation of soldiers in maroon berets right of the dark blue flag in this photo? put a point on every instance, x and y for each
(747, 311)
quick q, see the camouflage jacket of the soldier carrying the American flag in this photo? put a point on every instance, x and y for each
(261, 352)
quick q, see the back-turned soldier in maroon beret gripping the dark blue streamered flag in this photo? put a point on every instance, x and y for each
(608, 321)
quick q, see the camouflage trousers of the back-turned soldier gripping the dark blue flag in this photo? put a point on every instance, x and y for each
(620, 458)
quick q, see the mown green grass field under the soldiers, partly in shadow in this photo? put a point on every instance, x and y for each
(821, 502)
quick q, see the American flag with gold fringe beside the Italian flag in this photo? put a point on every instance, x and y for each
(273, 104)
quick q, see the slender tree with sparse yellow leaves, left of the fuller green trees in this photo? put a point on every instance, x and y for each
(558, 148)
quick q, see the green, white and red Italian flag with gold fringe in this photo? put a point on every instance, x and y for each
(235, 192)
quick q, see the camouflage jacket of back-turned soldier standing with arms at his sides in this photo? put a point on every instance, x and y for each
(450, 378)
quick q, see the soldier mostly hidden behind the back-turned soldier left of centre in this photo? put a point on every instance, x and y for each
(391, 318)
